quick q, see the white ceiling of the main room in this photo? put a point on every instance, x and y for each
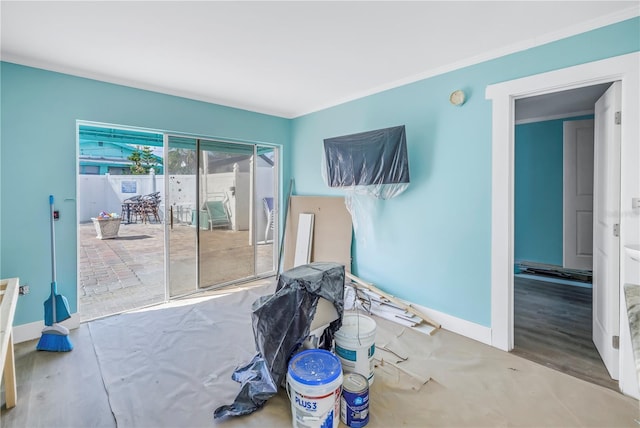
(283, 58)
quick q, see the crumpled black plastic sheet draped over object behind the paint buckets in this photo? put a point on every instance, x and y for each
(281, 323)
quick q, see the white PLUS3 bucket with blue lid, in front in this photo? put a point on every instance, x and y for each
(314, 385)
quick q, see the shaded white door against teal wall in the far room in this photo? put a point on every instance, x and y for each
(578, 194)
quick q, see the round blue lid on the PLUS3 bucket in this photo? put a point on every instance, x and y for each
(315, 367)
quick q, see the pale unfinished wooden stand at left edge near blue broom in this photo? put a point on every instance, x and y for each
(8, 300)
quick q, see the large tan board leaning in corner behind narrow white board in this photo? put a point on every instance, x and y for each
(332, 230)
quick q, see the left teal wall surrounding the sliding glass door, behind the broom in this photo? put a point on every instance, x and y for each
(39, 113)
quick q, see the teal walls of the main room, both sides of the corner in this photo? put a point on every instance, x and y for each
(431, 244)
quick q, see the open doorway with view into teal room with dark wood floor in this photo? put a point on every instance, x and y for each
(553, 236)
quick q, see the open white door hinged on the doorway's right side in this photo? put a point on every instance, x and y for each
(606, 214)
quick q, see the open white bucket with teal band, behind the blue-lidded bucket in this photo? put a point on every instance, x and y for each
(355, 345)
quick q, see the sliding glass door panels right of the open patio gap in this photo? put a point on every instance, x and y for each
(220, 198)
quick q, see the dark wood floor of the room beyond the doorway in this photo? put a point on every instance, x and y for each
(552, 326)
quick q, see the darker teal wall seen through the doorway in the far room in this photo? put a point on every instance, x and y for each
(538, 191)
